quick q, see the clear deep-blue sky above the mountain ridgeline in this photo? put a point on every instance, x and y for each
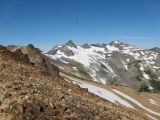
(46, 23)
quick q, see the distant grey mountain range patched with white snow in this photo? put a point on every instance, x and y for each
(113, 63)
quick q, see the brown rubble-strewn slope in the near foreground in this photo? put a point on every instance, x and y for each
(30, 93)
